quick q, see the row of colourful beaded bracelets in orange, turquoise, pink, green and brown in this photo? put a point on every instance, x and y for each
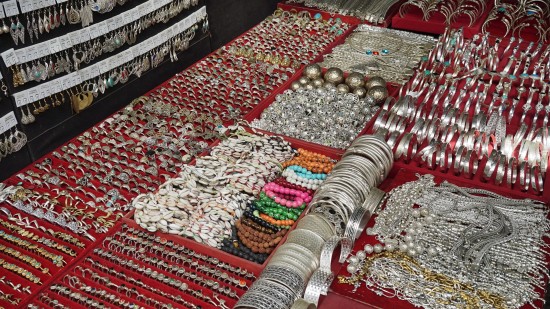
(280, 204)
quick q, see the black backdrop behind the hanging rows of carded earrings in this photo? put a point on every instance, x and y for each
(227, 19)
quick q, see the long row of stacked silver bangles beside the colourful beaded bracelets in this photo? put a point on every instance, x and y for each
(301, 267)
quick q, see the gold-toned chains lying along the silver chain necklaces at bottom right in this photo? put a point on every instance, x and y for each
(470, 295)
